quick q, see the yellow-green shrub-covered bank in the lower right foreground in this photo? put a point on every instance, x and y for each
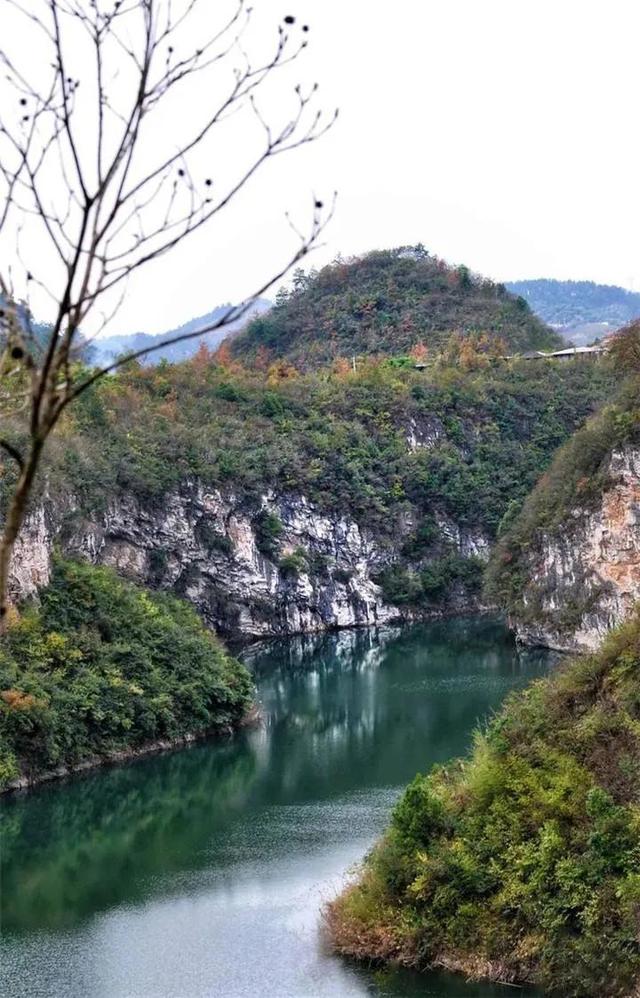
(521, 862)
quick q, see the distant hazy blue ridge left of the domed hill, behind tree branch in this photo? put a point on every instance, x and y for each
(106, 349)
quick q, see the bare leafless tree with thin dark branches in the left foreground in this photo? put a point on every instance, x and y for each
(80, 175)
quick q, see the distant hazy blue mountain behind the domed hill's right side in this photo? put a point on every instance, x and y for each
(581, 310)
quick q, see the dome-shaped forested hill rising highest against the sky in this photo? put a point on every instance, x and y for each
(387, 302)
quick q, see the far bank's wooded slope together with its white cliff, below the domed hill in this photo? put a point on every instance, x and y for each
(384, 486)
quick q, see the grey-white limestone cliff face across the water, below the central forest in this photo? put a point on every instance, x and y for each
(206, 546)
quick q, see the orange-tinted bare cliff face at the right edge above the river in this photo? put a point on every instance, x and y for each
(586, 579)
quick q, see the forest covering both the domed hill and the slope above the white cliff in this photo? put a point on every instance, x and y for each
(418, 452)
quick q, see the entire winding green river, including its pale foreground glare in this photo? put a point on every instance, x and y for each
(202, 873)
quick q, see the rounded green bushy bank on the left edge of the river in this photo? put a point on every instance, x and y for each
(99, 666)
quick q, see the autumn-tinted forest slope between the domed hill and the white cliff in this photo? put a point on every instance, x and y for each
(386, 444)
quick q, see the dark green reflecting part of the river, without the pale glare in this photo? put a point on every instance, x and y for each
(346, 716)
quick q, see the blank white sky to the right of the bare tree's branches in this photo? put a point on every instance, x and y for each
(500, 133)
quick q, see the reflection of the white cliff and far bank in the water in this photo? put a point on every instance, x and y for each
(363, 709)
